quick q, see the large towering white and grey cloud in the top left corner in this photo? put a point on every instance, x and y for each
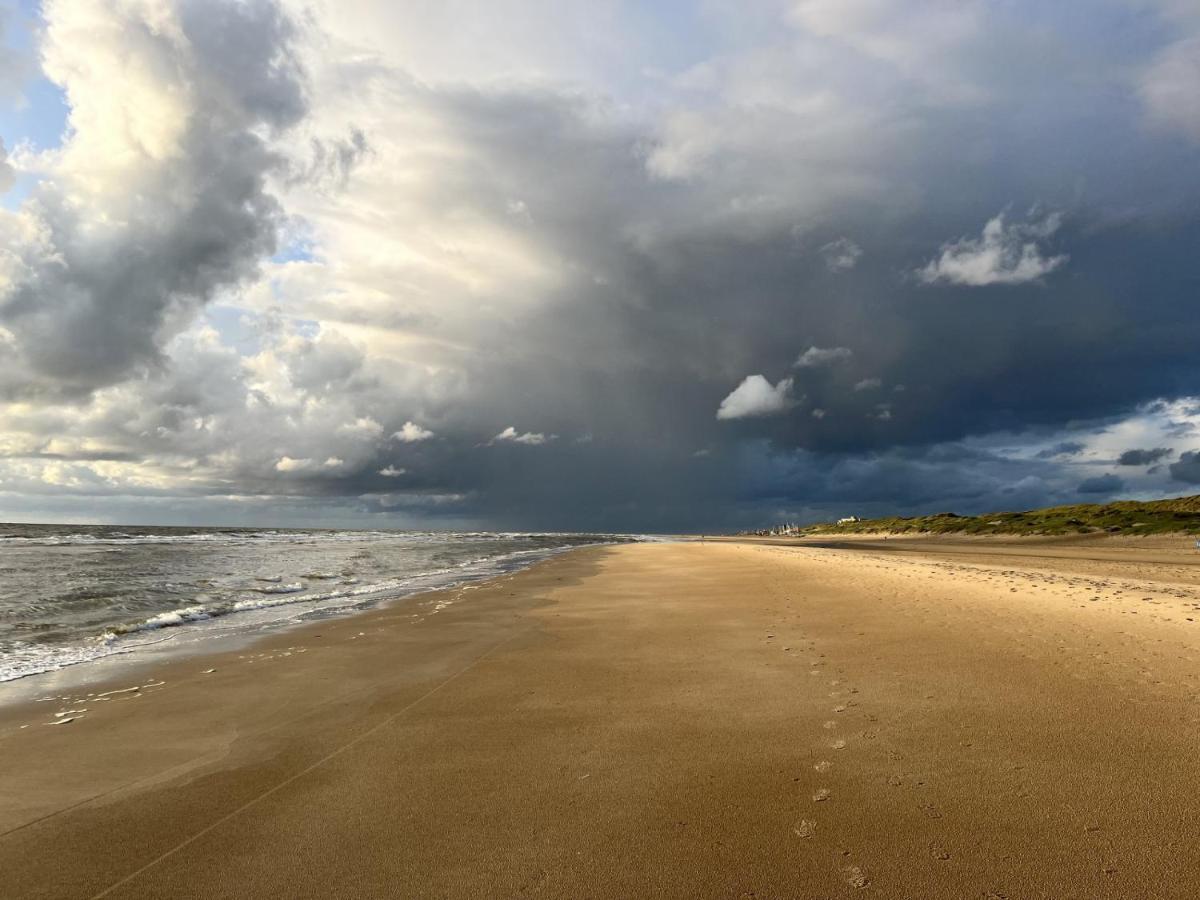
(159, 197)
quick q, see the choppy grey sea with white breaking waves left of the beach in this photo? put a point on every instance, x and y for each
(77, 595)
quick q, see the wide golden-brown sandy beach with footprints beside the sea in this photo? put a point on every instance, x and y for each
(902, 719)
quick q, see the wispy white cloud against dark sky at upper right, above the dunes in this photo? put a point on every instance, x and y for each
(1003, 255)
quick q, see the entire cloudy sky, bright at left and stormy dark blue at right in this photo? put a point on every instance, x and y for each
(673, 267)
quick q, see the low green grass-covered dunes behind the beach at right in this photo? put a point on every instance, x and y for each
(1119, 518)
